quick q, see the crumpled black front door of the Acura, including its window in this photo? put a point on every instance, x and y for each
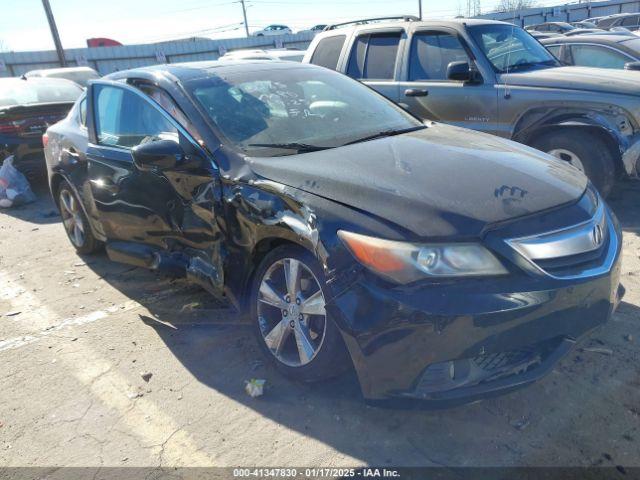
(162, 208)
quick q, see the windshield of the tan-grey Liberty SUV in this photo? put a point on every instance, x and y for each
(510, 48)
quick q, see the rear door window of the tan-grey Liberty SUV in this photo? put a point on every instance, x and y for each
(374, 56)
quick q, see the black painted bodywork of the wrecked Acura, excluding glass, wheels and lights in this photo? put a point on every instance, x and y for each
(225, 210)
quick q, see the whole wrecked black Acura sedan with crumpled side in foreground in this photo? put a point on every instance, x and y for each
(444, 265)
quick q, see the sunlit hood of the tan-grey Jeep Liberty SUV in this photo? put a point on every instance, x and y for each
(577, 78)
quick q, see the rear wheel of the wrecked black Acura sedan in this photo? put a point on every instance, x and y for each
(75, 221)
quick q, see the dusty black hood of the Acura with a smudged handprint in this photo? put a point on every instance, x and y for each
(437, 182)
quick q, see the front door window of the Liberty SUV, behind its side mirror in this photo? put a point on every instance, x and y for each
(431, 54)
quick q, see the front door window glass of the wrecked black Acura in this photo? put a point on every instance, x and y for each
(124, 119)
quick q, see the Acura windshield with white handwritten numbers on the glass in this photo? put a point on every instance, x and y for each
(286, 111)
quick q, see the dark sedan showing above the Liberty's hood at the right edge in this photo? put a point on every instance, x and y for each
(599, 51)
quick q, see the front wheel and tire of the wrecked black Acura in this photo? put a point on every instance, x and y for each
(290, 321)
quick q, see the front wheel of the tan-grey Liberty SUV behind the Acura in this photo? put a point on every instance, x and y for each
(586, 152)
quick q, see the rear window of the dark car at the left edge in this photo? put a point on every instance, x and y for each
(31, 92)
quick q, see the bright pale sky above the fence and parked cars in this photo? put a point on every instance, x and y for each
(23, 24)
